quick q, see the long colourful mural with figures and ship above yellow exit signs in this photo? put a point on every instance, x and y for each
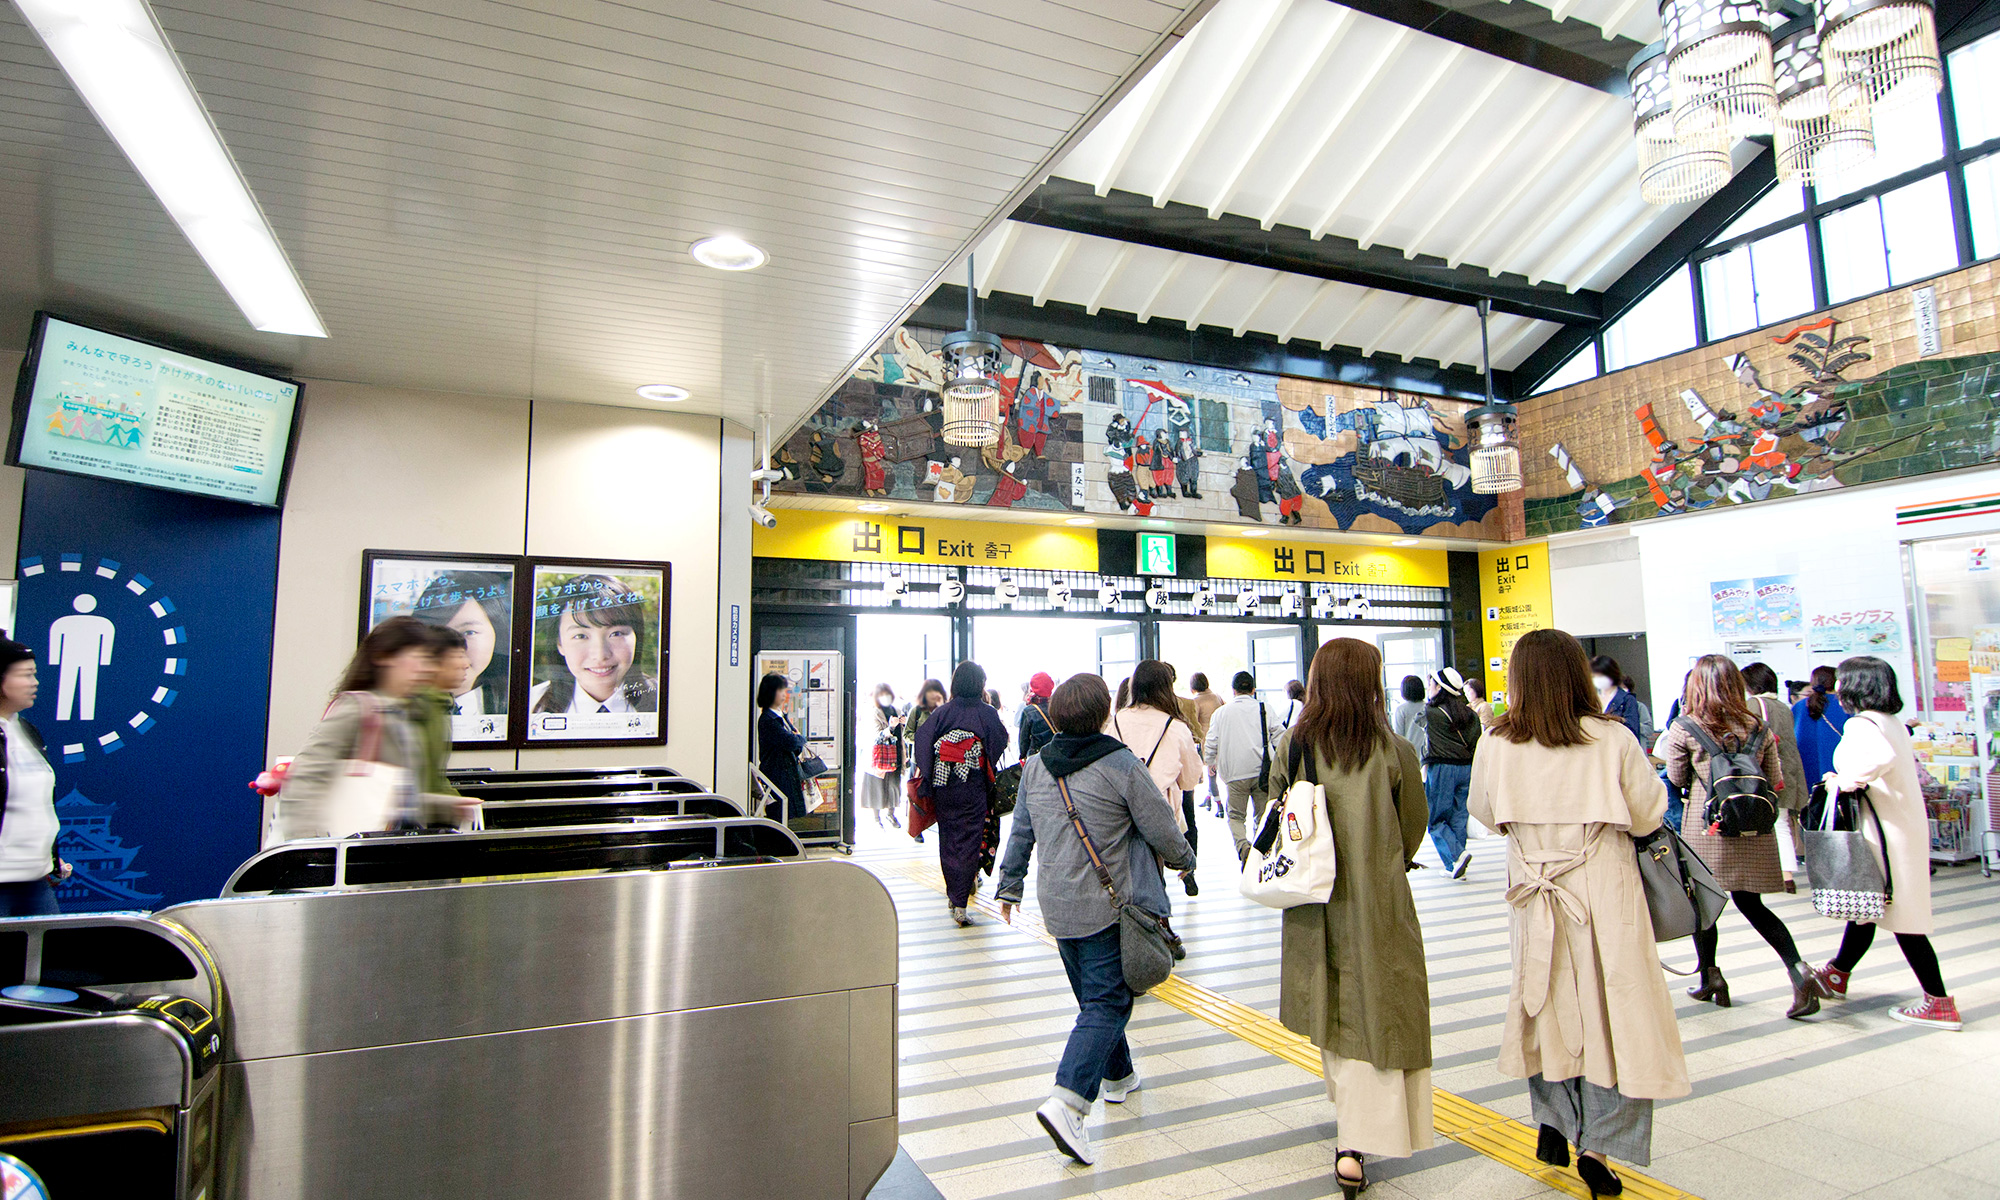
(1119, 435)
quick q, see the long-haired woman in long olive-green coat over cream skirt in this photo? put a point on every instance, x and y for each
(1353, 971)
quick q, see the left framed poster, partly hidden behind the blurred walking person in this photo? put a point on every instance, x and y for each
(475, 595)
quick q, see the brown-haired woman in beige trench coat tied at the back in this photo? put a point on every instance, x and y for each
(1589, 1021)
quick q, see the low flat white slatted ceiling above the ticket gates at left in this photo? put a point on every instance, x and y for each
(497, 197)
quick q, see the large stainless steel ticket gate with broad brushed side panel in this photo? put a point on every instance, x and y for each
(631, 1033)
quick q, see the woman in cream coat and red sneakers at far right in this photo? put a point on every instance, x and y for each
(1875, 753)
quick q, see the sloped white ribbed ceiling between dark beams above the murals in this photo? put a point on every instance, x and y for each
(1311, 115)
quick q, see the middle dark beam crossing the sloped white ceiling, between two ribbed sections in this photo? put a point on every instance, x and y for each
(1187, 229)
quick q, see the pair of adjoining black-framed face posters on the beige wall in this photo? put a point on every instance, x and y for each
(601, 627)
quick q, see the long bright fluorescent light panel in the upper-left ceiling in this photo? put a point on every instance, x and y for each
(121, 65)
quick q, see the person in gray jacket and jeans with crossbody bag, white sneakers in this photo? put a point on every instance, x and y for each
(1119, 803)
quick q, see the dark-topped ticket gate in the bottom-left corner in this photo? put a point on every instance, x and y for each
(109, 1043)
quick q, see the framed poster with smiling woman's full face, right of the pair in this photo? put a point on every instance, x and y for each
(599, 659)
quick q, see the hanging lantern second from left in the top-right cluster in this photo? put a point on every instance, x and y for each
(1721, 65)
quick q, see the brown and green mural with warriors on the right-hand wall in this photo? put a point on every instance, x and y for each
(1849, 397)
